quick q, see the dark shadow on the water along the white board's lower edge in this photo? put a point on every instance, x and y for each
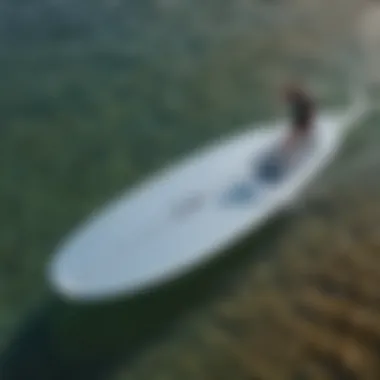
(68, 341)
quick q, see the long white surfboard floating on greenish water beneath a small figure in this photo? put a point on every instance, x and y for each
(188, 213)
